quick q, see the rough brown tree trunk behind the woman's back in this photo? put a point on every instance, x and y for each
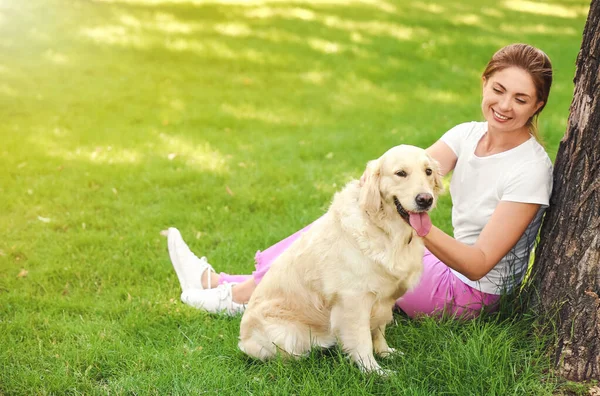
(568, 257)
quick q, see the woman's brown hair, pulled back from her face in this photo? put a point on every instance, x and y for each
(535, 62)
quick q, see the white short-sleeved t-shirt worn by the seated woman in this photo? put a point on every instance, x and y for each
(521, 174)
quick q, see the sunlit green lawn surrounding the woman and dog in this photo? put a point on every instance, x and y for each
(235, 121)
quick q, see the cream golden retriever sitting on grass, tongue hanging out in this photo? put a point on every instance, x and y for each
(339, 281)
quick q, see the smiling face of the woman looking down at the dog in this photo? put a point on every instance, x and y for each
(509, 99)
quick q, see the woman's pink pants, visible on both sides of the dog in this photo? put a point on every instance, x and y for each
(439, 291)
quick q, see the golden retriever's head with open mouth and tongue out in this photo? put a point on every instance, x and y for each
(406, 179)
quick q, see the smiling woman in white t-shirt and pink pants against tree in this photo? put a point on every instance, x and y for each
(500, 187)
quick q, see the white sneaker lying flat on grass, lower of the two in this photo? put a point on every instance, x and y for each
(217, 300)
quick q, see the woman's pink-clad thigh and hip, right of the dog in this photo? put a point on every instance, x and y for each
(441, 292)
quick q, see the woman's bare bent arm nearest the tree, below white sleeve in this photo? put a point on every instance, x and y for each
(508, 222)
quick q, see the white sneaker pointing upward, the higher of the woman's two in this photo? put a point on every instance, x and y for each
(188, 266)
